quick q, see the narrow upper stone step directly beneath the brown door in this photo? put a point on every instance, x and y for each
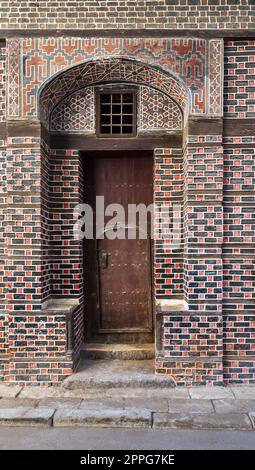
(122, 352)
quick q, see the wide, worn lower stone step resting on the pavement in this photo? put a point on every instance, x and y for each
(109, 374)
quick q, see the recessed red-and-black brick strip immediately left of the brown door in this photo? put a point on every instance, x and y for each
(66, 252)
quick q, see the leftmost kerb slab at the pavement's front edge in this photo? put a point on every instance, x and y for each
(22, 416)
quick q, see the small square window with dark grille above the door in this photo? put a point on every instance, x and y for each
(116, 113)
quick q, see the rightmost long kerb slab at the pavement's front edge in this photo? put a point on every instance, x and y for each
(199, 421)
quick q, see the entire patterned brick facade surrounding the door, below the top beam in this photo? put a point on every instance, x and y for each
(210, 339)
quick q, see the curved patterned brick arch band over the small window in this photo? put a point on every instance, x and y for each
(105, 71)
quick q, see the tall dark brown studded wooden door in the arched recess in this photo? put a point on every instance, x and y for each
(118, 271)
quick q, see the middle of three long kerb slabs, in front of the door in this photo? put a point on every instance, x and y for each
(103, 418)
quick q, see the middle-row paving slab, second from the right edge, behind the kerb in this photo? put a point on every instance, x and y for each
(190, 406)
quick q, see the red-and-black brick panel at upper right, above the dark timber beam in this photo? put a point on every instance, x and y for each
(239, 79)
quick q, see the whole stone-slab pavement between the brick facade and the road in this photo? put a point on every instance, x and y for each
(150, 408)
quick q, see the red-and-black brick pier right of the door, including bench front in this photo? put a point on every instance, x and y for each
(192, 337)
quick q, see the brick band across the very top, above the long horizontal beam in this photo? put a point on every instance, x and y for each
(115, 14)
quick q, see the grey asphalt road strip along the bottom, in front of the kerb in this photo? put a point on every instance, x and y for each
(118, 439)
